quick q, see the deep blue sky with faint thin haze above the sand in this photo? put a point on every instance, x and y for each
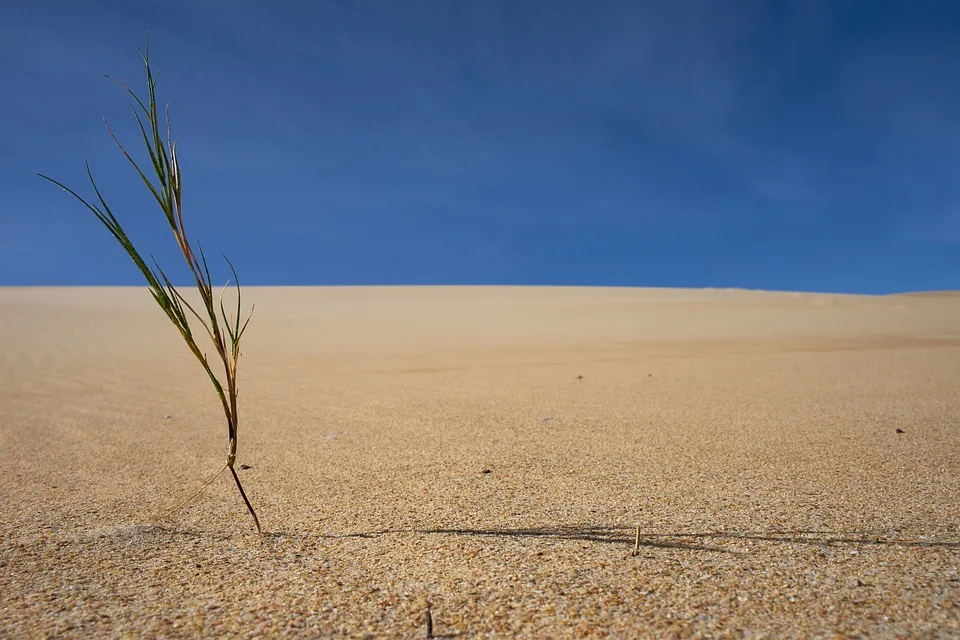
(810, 145)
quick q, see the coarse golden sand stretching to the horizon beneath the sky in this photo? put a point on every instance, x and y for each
(491, 451)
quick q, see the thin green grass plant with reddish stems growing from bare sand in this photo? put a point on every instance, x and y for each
(224, 331)
